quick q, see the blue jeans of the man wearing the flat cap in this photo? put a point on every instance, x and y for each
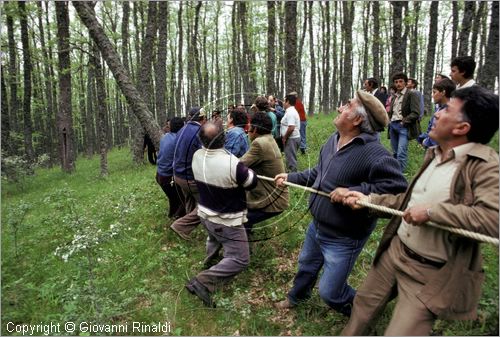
(337, 257)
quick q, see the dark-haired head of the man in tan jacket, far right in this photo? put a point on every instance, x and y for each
(471, 115)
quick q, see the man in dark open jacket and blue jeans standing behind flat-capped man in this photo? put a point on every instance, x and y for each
(404, 116)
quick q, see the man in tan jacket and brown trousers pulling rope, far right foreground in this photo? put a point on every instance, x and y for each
(434, 273)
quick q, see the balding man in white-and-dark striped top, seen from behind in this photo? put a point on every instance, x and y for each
(222, 180)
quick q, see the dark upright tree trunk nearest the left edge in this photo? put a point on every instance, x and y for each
(13, 75)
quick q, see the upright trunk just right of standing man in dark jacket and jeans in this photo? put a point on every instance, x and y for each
(431, 51)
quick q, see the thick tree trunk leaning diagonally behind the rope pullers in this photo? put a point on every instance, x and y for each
(112, 58)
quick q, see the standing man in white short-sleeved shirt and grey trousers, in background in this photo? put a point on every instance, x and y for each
(290, 132)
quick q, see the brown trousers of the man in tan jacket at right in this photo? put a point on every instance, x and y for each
(394, 272)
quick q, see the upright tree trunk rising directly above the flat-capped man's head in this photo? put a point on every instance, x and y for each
(348, 20)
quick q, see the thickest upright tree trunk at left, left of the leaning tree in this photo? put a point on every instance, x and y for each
(64, 116)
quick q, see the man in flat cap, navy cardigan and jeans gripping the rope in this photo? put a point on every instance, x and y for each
(351, 160)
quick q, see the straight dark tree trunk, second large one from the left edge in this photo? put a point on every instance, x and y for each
(27, 69)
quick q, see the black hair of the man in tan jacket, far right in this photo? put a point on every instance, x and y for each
(480, 109)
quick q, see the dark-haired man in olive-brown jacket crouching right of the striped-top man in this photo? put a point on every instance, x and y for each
(264, 157)
